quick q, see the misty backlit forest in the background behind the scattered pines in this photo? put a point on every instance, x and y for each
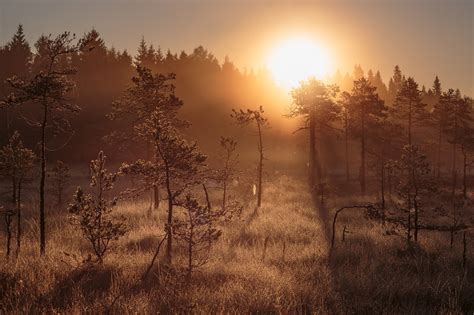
(208, 88)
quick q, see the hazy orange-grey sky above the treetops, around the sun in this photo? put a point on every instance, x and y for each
(426, 38)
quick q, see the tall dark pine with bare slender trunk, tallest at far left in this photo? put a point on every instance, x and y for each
(50, 90)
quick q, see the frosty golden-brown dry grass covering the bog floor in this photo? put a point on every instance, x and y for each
(294, 273)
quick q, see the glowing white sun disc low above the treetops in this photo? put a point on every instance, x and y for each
(297, 59)
